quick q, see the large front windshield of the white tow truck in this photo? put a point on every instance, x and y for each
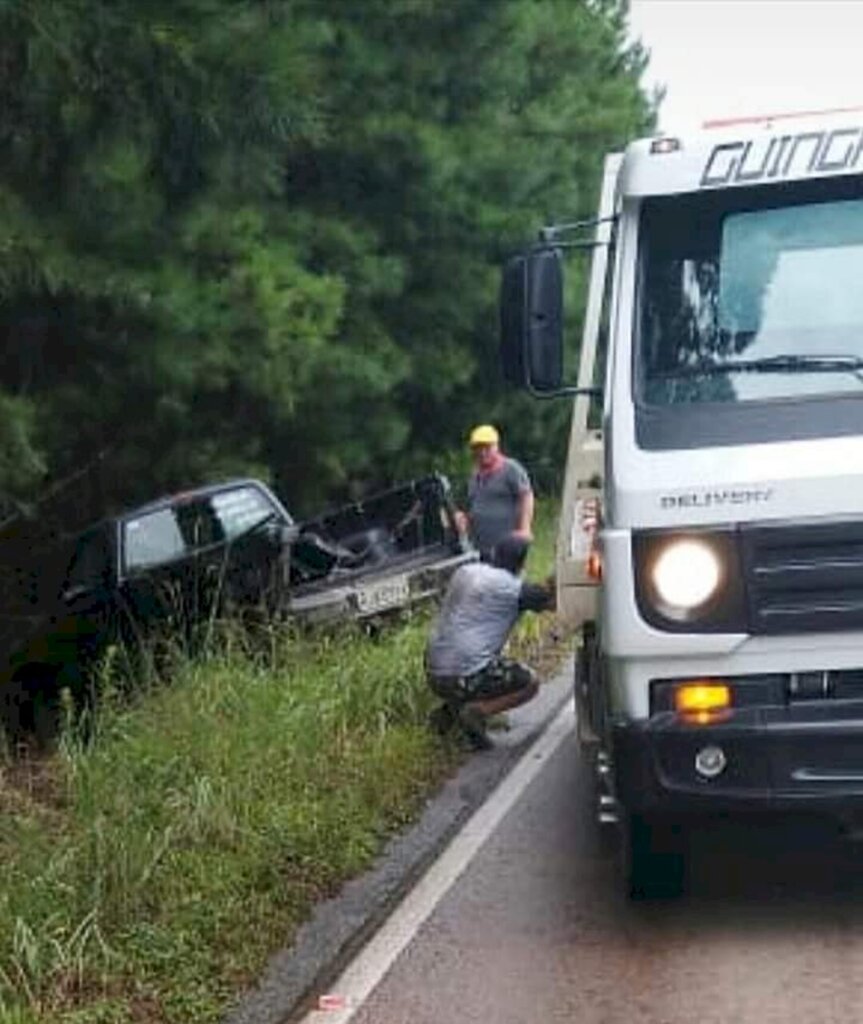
(747, 301)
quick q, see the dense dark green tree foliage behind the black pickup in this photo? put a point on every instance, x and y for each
(261, 237)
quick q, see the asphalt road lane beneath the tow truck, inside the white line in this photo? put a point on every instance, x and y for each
(536, 929)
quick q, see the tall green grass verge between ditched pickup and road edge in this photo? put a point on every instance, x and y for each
(151, 873)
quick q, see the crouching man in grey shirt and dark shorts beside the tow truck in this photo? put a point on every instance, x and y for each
(463, 659)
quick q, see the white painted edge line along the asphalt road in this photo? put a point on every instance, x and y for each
(362, 977)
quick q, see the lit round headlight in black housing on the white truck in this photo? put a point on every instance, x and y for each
(689, 582)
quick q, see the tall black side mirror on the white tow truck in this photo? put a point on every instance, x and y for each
(532, 321)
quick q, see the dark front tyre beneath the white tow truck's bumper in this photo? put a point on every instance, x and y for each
(653, 859)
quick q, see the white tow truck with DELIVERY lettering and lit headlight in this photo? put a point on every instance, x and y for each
(712, 535)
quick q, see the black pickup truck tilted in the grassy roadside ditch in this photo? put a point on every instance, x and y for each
(171, 568)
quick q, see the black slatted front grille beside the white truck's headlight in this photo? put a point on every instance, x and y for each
(804, 578)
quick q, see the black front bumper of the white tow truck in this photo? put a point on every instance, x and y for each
(798, 757)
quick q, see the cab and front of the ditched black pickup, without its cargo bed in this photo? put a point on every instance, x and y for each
(171, 566)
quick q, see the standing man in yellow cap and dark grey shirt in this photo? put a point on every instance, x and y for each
(500, 495)
